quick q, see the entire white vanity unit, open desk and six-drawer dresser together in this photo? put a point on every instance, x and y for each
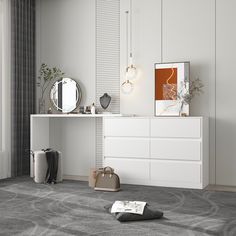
(161, 151)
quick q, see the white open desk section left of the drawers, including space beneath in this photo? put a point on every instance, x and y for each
(77, 136)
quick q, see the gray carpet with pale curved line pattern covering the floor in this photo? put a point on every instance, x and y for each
(72, 208)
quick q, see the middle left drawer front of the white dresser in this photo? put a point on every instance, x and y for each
(126, 147)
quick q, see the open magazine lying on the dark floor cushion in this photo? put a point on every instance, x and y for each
(135, 207)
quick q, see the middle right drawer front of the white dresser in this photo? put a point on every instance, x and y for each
(176, 149)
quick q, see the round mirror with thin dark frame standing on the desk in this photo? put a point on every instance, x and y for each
(65, 95)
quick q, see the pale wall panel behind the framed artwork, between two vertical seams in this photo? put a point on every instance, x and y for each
(189, 35)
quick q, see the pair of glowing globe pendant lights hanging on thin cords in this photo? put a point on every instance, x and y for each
(130, 71)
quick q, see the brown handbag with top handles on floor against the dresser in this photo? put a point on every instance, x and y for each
(107, 180)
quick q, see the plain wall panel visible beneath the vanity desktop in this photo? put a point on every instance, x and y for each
(75, 138)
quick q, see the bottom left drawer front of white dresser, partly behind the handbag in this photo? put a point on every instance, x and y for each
(129, 169)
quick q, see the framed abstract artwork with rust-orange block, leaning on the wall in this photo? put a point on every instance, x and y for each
(171, 83)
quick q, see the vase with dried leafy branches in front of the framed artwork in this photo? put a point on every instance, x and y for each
(189, 89)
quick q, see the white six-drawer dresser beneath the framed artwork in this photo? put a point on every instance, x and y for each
(159, 151)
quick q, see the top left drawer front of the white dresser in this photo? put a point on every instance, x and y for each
(136, 127)
